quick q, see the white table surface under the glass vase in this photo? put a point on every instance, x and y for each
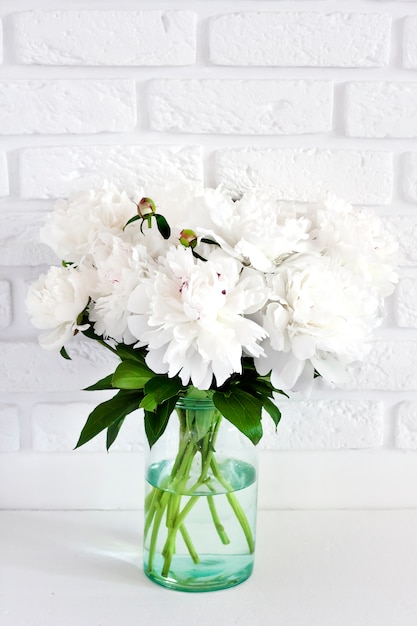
(313, 568)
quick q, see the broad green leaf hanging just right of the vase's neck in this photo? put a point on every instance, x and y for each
(241, 409)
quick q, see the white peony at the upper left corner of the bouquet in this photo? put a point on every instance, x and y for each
(77, 226)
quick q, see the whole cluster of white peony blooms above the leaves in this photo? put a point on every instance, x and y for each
(298, 288)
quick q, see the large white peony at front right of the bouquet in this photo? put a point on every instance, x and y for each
(318, 318)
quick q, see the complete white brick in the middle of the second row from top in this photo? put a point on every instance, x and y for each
(270, 107)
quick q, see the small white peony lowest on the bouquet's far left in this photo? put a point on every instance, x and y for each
(55, 302)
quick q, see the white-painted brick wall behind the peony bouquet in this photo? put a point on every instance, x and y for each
(298, 96)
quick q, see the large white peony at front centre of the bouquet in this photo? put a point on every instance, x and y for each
(191, 317)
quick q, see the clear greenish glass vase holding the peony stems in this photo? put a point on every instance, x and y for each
(200, 502)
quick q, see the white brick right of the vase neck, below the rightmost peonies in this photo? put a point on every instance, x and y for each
(325, 425)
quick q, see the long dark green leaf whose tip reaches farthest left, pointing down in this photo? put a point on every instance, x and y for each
(108, 413)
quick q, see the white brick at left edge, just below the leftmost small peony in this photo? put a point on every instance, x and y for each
(26, 367)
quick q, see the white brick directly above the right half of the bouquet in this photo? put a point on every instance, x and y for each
(306, 175)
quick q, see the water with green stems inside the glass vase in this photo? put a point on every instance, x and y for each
(202, 538)
